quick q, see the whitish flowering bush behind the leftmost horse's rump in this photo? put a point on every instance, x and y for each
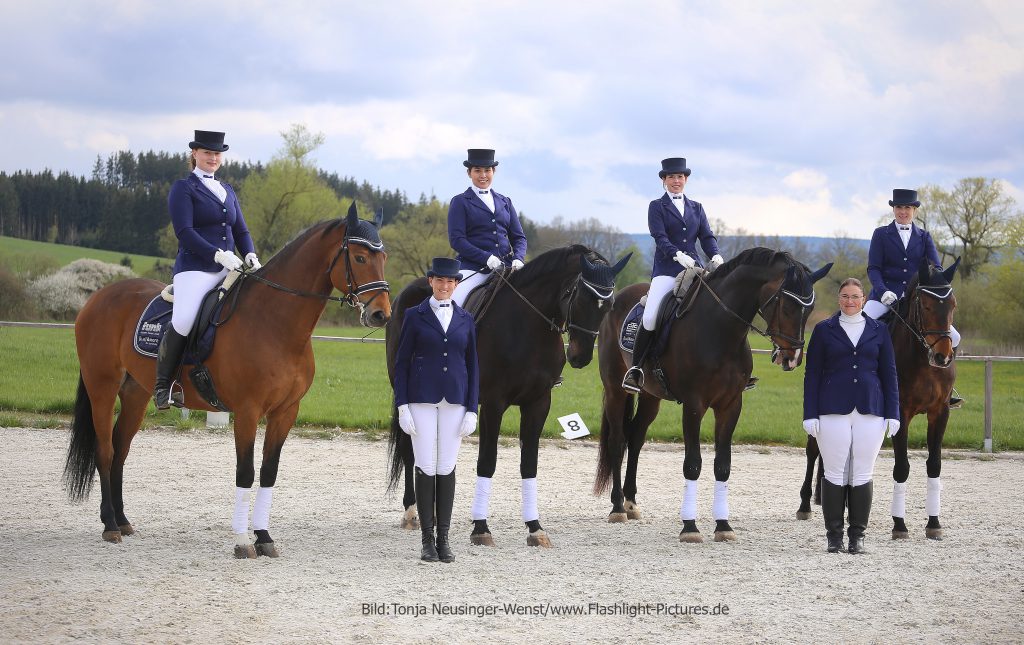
(64, 293)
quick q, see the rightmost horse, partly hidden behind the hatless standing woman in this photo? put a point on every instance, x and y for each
(926, 373)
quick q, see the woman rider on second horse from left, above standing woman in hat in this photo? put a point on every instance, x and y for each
(484, 228)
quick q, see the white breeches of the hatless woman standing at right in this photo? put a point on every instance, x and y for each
(849, 446)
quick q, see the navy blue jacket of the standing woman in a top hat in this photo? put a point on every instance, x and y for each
(432, 365)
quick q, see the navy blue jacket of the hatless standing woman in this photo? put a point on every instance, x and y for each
(839, 377)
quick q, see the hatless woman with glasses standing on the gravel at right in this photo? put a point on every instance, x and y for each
(851, 402)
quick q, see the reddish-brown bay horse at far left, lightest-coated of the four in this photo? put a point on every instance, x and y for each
(263, 363)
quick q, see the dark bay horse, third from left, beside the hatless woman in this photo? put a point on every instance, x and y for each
(707, 364)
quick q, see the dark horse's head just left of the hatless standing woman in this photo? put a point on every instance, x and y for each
(788, 305)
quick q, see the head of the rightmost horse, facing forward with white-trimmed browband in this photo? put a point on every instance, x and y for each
(931, 308)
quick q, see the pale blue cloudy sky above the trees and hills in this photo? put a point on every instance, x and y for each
(796, 118)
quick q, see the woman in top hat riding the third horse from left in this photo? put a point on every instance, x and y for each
(676, 223)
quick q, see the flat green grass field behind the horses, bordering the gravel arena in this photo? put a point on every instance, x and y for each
(39, 374)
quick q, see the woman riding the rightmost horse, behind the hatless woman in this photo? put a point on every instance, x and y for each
(895, 255)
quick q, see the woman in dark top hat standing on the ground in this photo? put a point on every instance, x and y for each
(437, 389)
